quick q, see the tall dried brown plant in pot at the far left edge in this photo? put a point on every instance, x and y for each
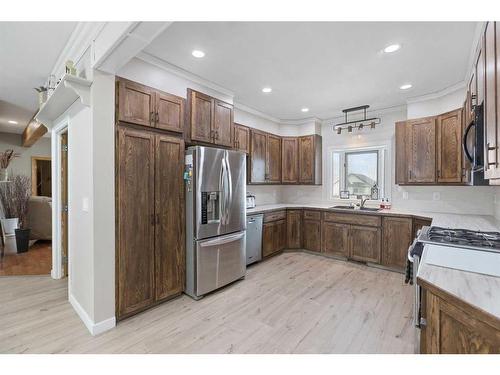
(14, 197)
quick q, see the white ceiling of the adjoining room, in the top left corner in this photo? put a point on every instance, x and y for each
(28, 52)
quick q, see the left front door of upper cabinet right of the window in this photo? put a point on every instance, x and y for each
(421, 150)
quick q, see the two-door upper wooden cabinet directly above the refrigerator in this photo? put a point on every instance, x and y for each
(209, 120)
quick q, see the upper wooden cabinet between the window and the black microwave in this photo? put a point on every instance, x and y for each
(429, 150)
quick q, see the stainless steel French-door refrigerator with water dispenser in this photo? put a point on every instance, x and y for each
(215, 218)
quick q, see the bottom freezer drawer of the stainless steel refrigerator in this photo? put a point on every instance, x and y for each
(219, 261)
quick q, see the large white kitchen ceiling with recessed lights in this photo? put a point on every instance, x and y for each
(324, 66)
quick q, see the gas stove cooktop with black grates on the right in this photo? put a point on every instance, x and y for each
(464, 238)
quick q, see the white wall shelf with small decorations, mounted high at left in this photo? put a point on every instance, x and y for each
(69, 90)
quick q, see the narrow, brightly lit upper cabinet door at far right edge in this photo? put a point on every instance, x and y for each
(491, 168)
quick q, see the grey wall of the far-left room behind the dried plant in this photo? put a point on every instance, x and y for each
(22, 164)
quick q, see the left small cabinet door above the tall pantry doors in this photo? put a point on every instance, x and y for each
(136, 103)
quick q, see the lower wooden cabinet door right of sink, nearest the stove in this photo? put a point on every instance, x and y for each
(396, 238)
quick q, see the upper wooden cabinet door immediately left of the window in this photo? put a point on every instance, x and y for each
(310, 159)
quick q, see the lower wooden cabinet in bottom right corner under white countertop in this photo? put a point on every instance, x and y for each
(456, 328)
